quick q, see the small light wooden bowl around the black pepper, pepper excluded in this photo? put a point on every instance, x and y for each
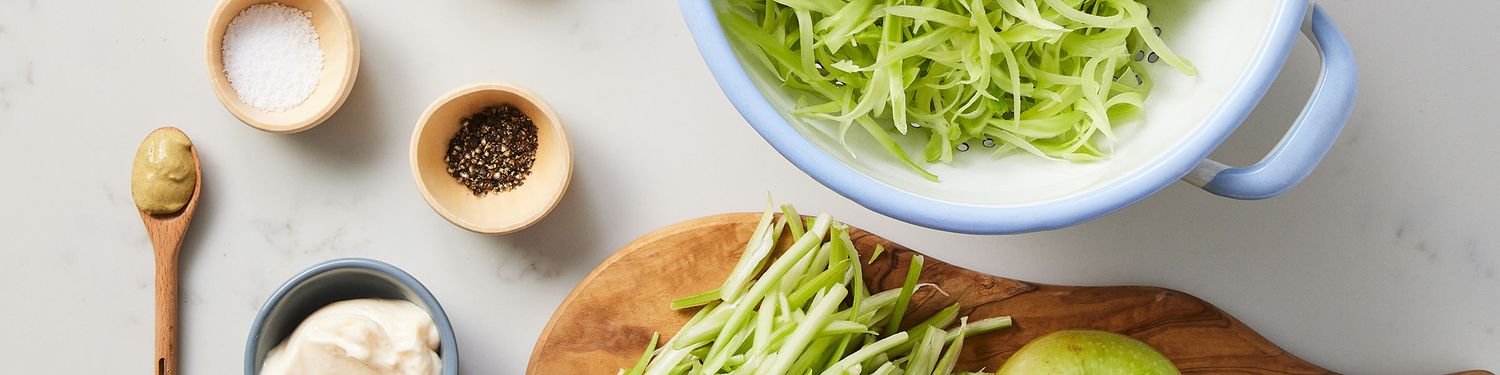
(493, 214)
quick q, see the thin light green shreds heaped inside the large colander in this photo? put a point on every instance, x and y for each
(1043, 77)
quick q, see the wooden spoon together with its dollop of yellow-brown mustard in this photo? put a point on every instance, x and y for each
(166, 184)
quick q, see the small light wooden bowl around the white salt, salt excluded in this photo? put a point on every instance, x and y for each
(341, 64)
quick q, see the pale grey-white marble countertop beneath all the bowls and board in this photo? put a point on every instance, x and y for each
(1385, 262)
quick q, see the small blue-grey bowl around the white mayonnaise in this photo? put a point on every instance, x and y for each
(337, 281)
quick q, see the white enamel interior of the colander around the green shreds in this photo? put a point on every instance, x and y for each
(1222, 38)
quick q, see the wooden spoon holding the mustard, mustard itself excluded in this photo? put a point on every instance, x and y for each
(167, 233)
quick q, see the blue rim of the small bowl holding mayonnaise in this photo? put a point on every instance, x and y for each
(439, 317)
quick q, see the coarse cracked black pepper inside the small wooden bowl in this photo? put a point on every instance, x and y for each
(494, 151)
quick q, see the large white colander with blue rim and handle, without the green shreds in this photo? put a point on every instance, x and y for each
(1240, 49)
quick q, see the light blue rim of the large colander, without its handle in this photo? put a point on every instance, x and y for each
(733, 79)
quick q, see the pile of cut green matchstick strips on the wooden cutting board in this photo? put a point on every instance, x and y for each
(808, 311)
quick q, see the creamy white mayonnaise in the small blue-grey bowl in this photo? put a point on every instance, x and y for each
(359, 338)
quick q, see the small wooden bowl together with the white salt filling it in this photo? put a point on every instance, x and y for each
(283, 67)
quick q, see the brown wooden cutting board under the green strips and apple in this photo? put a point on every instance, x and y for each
(608, 320)
